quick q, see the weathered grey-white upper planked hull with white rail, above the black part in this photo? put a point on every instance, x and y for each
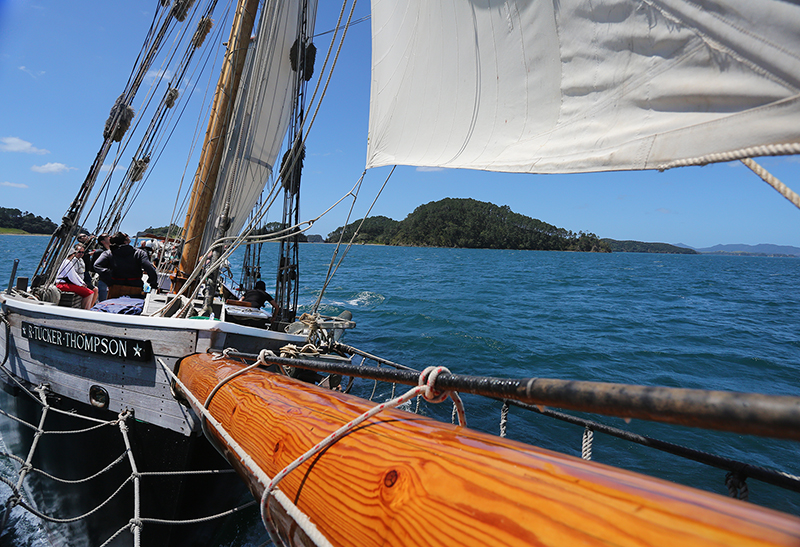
(73, 350)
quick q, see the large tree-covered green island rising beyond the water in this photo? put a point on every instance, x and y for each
(471, 224)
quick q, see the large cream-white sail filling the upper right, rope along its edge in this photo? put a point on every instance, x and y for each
(580, 85)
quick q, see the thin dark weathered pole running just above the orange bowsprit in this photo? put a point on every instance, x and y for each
(776, 416)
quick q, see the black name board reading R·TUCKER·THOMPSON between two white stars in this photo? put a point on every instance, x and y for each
(107, 346)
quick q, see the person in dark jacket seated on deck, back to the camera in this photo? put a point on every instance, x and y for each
(122, 267)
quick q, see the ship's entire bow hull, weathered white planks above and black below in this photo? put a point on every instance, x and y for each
(101, 365)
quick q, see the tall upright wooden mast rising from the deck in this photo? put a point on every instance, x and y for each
(211, 156)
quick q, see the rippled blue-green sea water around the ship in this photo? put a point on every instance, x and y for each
(692, 321)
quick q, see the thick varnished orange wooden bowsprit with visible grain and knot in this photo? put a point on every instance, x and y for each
(403, 479)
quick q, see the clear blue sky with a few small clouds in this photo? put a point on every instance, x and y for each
(62, 64)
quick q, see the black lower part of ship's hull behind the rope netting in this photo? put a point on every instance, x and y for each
(163, 497)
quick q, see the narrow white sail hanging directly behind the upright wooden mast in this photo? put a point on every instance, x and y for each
(262, 113)
